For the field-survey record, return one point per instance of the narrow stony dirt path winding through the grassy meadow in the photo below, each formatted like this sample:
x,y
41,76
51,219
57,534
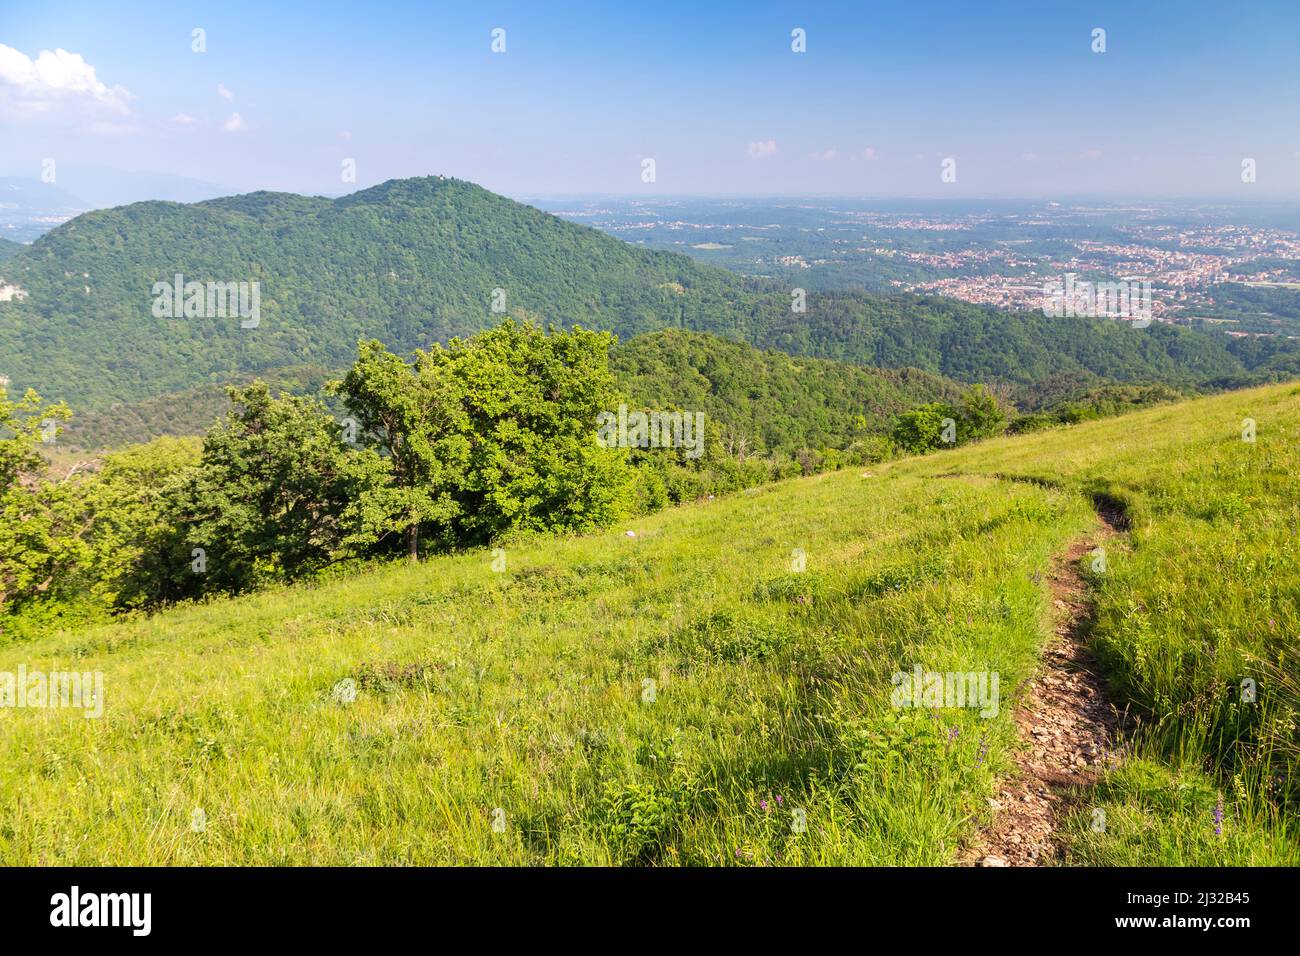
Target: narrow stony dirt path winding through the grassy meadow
x,y
1065,717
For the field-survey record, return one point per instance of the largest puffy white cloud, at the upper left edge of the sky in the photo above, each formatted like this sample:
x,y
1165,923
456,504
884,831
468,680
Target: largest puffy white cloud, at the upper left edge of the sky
x,y
53,84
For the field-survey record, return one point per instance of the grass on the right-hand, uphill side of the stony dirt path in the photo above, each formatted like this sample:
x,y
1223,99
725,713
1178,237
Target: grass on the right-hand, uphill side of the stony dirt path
x,y
1197,613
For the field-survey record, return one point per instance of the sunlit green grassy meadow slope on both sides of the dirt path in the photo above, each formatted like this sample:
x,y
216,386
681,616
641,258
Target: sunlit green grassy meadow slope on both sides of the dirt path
x,y
687,695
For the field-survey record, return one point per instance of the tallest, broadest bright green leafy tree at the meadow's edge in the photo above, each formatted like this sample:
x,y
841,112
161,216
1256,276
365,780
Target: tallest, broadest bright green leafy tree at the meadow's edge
x,y
491,435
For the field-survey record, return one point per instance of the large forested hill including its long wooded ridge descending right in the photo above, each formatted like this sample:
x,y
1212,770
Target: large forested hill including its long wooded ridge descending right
x,y
413,262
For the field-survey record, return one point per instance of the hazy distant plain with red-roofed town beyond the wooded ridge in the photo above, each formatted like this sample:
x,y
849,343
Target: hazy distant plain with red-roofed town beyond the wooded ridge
x,y
1236,267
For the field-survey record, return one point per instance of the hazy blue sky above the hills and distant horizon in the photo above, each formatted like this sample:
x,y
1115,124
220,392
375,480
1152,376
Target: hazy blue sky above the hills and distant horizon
x,y
712,92
